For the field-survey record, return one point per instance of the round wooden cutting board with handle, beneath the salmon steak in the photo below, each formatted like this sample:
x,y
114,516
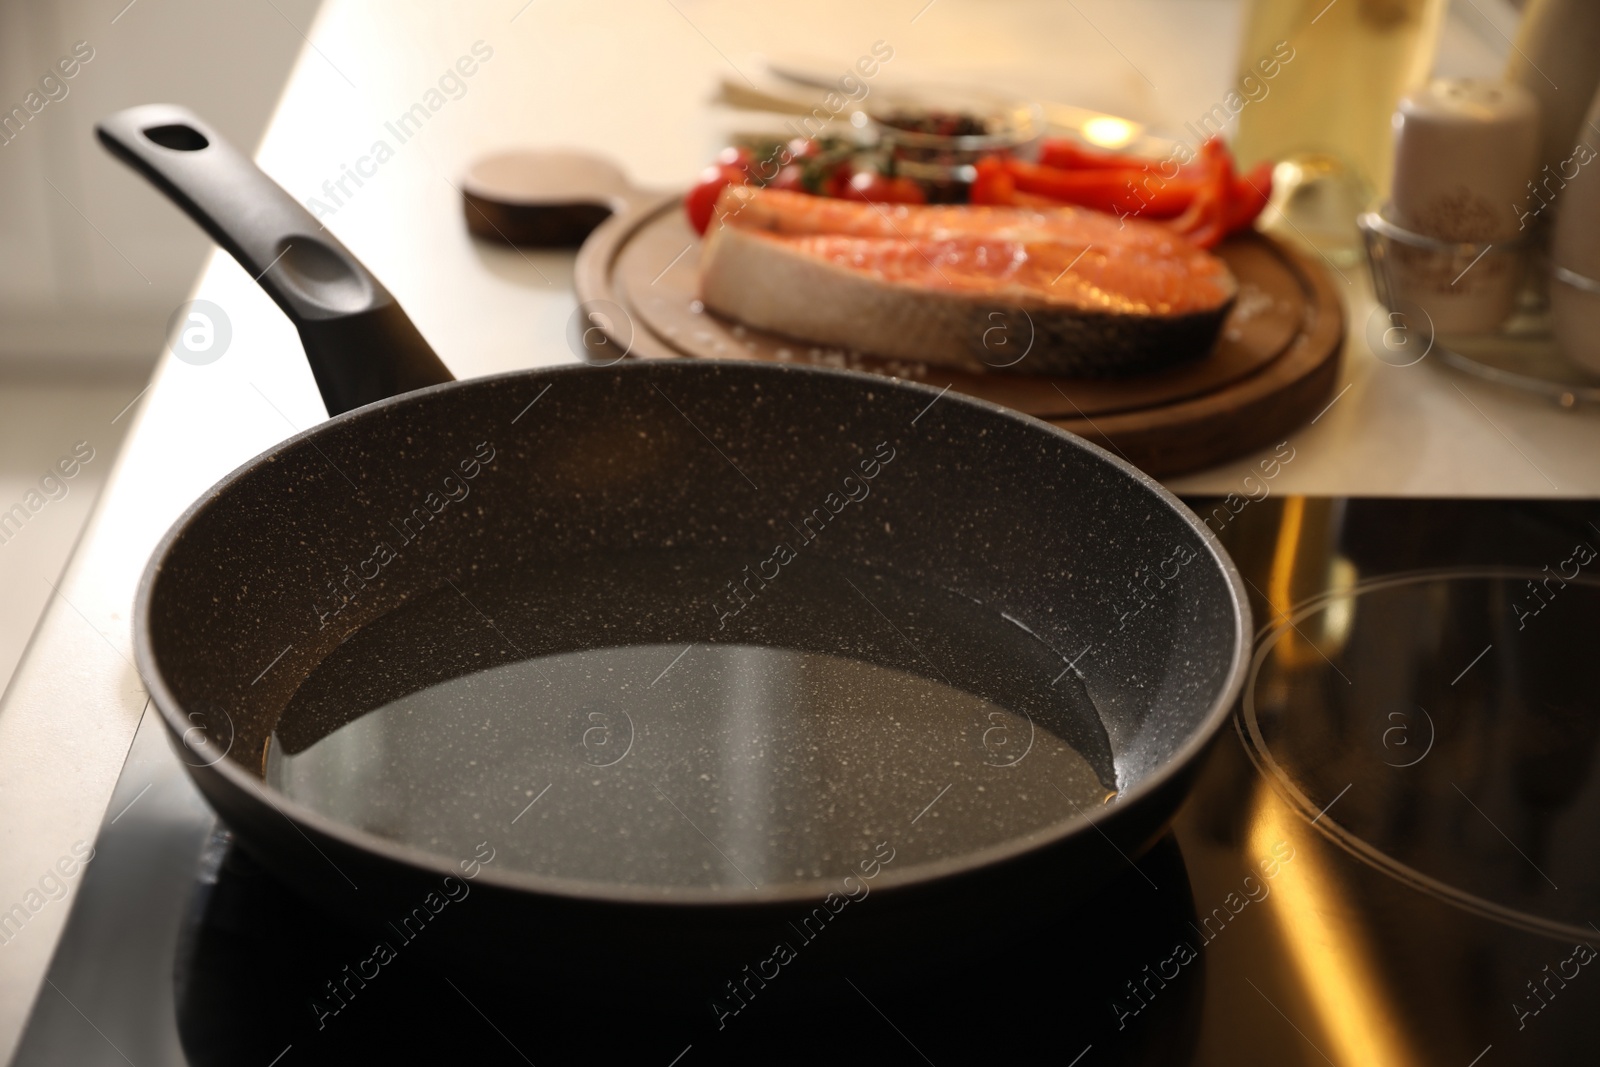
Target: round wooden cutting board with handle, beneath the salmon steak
x,y
1273,369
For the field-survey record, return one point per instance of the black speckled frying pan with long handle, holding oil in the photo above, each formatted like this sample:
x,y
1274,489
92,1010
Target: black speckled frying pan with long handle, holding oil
x,y
438,530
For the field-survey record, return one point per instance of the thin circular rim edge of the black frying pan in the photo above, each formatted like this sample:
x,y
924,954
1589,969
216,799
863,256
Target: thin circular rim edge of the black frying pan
x,y
690,898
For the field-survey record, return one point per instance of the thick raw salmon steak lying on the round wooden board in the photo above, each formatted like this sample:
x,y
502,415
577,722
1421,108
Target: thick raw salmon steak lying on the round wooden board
x,y
994,289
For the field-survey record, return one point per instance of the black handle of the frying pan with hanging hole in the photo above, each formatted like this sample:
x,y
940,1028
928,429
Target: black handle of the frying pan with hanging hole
x,y
361,345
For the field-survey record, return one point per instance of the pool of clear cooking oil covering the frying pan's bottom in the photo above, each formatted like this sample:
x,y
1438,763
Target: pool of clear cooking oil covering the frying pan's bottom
x,y
641,721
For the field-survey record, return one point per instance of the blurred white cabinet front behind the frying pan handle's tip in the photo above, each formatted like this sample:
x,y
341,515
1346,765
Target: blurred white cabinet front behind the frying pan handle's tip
x,y
92,262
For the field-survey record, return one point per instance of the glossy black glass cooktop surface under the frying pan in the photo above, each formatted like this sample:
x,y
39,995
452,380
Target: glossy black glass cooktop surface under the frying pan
x,y
1391,858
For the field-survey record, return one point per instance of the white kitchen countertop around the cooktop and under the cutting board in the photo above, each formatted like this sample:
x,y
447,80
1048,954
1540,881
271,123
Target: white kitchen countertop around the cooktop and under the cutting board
x,y
631,82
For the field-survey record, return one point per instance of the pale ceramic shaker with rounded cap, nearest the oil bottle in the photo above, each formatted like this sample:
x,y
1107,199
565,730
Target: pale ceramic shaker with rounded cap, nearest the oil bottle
x,y
1465,154
